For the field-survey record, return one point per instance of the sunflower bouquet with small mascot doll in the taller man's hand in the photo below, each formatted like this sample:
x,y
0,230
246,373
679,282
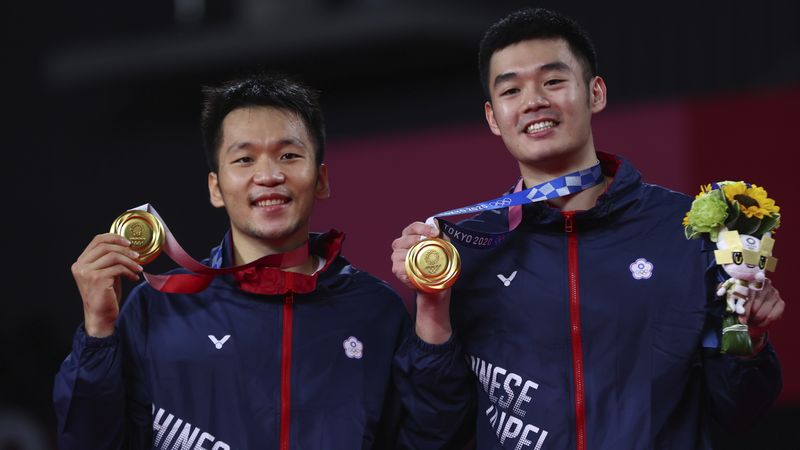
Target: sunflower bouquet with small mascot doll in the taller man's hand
x,y
740,218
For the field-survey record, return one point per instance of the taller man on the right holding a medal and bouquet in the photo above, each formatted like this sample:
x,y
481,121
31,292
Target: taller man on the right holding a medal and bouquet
x,y
587,319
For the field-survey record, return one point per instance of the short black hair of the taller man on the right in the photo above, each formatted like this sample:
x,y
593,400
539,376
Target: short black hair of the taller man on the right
x,y
538,23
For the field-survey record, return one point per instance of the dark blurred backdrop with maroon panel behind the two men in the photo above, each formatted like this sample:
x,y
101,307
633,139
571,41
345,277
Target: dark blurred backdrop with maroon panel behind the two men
x,y
102,114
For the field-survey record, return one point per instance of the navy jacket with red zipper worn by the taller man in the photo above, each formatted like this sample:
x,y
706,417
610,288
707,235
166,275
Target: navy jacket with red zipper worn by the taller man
x,y
573,350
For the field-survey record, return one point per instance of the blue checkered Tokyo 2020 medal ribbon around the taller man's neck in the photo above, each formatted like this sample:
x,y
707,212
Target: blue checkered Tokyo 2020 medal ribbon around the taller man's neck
x,y
568,184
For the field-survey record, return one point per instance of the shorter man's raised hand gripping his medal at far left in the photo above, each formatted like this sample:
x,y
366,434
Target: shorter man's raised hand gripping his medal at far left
x,y
97,273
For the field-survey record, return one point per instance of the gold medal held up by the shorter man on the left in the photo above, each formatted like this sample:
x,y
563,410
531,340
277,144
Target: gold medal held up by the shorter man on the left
x,y
143,230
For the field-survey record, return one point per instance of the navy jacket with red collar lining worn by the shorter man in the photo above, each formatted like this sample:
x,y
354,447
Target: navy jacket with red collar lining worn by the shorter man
x,y
224,369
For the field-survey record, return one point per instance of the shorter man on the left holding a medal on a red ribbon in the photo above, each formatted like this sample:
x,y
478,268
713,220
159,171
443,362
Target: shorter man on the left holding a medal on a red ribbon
x,y
276,341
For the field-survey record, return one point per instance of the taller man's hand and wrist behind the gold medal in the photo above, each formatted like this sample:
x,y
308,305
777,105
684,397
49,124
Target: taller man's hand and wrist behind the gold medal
x,y
433,310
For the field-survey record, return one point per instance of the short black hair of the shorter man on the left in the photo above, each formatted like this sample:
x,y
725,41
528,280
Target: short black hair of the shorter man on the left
x,y
262,89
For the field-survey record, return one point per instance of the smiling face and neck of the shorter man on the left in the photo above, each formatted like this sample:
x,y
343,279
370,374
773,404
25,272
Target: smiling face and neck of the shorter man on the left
x,y
267,179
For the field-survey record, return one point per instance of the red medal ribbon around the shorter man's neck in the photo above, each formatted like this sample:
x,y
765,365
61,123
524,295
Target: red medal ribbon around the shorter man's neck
x,y
202,275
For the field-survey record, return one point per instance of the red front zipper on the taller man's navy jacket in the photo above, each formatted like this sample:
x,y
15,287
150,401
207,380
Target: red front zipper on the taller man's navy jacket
x,y
575,331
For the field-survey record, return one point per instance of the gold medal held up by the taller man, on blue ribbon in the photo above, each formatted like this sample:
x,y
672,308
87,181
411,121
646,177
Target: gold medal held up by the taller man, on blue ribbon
x,y
433,265
